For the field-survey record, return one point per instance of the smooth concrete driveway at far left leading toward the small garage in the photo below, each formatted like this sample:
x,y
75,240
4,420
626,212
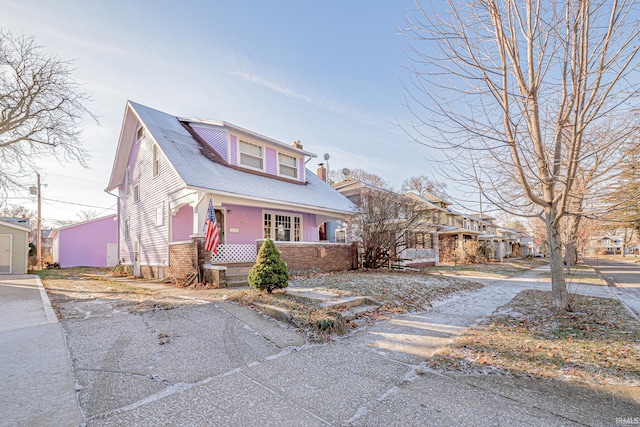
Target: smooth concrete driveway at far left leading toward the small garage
x,y
38,386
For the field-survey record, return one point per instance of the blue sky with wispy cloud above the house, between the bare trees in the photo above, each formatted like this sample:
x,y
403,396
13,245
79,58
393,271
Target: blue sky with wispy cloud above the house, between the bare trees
x,y
327,73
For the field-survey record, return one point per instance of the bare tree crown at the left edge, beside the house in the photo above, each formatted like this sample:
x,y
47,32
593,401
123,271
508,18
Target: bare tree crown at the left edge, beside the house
x,y
41,107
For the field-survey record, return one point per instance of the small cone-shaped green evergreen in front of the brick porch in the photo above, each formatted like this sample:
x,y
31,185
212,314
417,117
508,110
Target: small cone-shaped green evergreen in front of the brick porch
x,y
270,271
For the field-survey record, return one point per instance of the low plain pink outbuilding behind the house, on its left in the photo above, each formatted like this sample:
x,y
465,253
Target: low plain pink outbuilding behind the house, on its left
x,y
91,243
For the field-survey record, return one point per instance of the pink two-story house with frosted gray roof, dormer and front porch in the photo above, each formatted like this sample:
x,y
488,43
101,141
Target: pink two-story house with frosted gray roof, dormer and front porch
x,y
166,171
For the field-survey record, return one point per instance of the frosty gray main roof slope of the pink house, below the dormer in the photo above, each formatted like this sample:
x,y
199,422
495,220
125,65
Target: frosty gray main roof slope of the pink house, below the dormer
x,y
196,170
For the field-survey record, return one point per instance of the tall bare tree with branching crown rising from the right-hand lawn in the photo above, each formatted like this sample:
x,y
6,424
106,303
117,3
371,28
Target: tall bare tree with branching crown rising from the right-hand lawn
x,y
509,88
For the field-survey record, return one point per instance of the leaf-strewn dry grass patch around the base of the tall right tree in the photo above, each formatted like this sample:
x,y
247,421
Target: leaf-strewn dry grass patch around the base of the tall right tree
x,y
597,342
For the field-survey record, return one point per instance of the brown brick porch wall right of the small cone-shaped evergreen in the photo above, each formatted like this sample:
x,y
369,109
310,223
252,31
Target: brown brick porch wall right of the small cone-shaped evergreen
x,y
304,258
